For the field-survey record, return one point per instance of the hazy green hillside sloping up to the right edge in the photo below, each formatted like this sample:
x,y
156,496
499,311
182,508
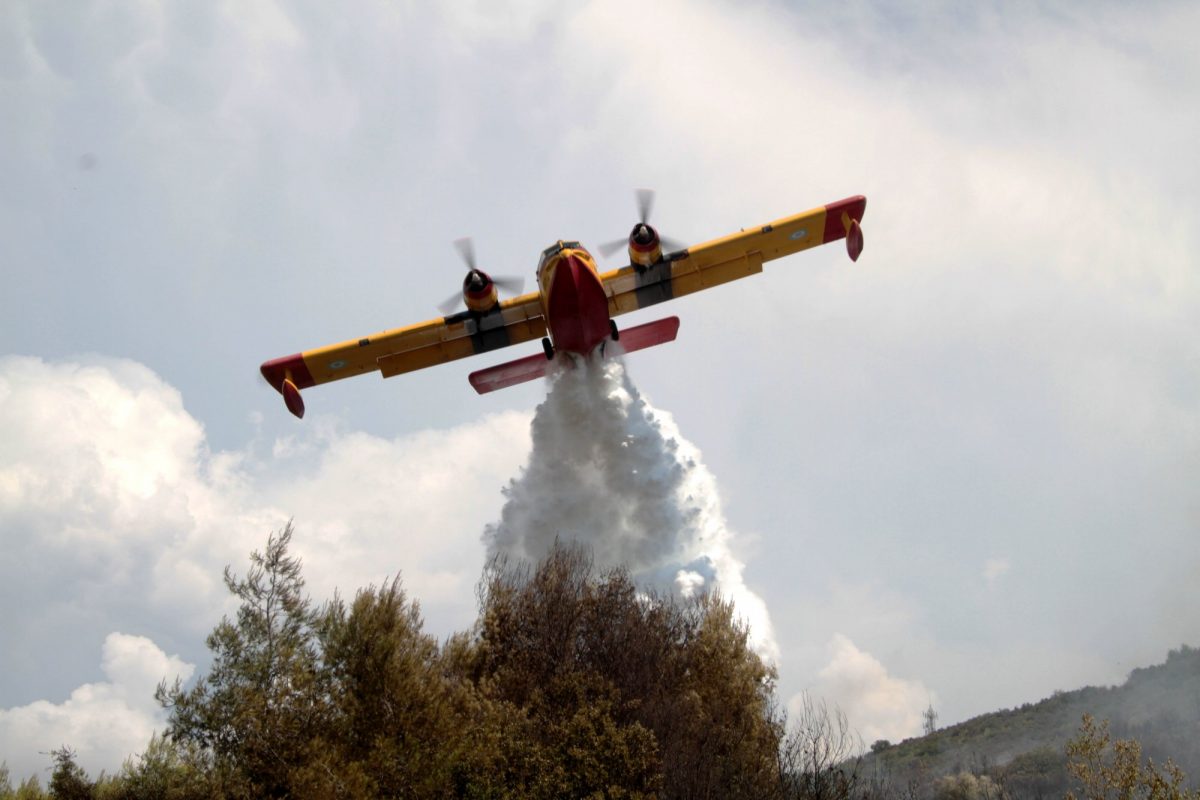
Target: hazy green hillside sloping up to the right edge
x,y
1157,706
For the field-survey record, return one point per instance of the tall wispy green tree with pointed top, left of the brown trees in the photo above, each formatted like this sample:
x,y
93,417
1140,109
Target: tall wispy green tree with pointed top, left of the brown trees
x,y
260,711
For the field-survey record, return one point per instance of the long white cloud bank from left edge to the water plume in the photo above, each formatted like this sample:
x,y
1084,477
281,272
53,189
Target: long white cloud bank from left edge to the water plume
x,y
115,514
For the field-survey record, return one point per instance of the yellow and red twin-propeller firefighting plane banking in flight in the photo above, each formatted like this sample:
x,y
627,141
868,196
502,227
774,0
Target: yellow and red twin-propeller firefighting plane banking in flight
x,y
574,306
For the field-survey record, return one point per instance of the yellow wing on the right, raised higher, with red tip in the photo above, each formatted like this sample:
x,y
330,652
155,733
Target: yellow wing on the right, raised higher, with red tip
x,y
736,256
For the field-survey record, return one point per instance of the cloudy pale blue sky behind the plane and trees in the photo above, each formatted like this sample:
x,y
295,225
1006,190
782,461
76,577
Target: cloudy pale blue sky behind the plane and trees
x,y
961,473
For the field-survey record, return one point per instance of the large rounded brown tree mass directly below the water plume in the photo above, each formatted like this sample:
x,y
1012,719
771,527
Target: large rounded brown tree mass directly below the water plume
x,y
667,696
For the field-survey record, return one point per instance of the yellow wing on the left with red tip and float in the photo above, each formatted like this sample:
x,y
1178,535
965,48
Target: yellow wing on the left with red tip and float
x,y
405,350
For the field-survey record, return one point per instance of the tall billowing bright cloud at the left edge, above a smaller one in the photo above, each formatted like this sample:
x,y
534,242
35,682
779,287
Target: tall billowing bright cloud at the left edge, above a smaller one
x,y
112,509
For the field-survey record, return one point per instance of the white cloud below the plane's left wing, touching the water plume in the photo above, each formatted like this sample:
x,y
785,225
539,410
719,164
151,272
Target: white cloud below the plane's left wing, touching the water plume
x,y
418,506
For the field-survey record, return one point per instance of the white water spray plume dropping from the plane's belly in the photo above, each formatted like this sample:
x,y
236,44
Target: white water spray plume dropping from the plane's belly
x,y
613,473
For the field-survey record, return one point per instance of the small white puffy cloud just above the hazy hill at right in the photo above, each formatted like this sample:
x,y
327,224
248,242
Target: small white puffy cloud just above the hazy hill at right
x,y
878,706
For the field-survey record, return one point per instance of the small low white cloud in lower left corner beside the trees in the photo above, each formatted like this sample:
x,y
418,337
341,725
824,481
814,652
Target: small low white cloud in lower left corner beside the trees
x,y
104,723
